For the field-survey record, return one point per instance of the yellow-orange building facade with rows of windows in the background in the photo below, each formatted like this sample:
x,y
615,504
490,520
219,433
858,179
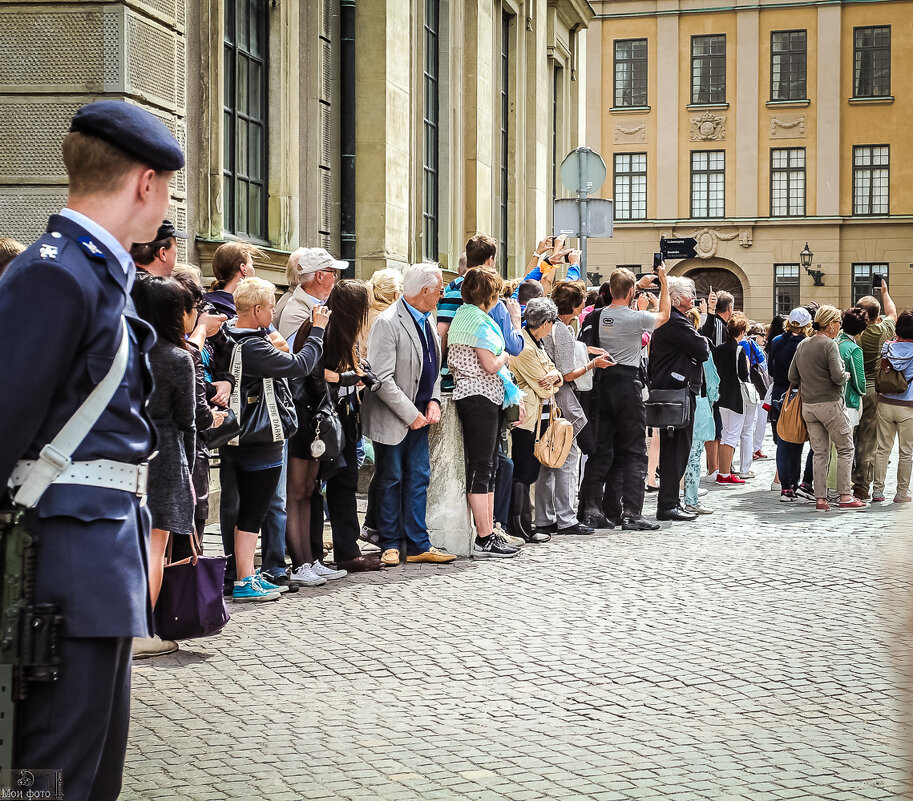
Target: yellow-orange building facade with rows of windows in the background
x,y
756,130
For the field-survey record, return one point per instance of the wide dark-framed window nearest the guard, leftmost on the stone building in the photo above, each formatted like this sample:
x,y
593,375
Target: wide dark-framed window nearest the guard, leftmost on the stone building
x,y
245,114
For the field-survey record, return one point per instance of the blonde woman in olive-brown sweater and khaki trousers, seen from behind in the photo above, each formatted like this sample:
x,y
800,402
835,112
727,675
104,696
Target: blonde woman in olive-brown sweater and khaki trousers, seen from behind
x,y
817,368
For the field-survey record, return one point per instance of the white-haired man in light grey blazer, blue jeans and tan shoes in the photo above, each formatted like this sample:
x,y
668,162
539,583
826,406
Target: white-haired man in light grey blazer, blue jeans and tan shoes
x,y
406,358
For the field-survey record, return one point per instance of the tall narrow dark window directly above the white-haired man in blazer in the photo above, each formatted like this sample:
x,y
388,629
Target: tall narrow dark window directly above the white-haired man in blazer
x,y
430,124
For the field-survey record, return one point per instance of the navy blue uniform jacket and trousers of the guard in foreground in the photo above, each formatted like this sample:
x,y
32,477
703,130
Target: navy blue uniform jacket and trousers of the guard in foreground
x,y
92,542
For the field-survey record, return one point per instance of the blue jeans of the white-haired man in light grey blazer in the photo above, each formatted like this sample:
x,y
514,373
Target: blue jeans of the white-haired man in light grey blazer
x,y
402,473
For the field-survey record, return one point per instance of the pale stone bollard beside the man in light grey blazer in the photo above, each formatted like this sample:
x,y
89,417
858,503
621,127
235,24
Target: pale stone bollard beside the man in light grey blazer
x,y
447,516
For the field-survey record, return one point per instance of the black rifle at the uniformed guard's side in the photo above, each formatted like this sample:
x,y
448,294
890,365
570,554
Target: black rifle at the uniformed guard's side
x,y
28,631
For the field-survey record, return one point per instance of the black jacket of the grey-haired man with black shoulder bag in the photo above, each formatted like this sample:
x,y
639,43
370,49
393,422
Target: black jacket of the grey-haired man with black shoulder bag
x,y
677,353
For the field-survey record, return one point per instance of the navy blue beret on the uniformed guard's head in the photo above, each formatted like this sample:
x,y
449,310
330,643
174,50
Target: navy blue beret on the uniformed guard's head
x,y
132,129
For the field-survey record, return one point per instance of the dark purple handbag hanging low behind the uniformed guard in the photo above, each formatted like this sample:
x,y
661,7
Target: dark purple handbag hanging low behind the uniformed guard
x,y
190,603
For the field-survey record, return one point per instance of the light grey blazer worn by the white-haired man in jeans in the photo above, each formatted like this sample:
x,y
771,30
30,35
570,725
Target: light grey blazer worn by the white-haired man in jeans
x,y
396,358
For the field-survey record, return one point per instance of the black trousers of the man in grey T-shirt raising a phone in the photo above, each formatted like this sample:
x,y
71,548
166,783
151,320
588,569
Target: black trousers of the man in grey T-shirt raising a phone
x,y
613,478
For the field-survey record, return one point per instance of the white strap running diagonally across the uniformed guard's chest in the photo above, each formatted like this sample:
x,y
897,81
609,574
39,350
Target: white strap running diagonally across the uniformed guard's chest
x,y
55,457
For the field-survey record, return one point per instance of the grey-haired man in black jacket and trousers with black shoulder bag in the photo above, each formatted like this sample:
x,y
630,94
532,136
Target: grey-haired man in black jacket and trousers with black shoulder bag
x,y
677,355
